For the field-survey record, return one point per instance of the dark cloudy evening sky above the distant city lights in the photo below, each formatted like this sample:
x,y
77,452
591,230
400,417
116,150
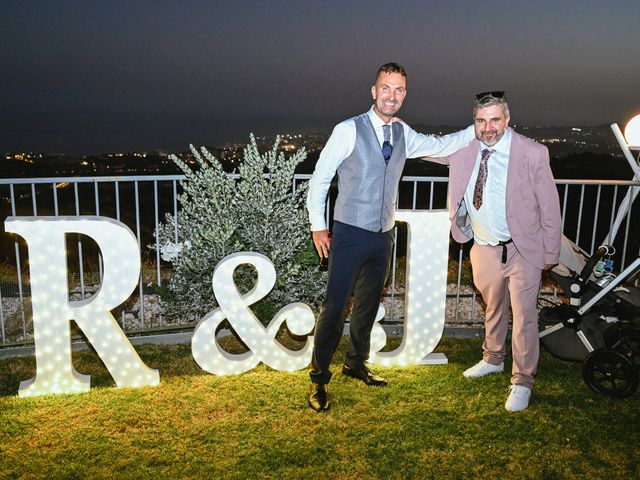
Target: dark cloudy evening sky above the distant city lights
x,y
93,76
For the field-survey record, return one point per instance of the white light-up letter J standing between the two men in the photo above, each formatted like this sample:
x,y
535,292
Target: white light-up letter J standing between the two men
x,y
425,289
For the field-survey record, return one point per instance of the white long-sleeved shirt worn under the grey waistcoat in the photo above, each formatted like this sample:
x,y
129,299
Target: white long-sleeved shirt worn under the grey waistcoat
x,y
342,142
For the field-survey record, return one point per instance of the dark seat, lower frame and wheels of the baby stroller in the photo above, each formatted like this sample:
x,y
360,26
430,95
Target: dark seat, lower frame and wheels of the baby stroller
x,y
600,326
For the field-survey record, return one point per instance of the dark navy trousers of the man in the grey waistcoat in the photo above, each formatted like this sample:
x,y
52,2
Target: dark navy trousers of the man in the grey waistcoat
x,y
358,263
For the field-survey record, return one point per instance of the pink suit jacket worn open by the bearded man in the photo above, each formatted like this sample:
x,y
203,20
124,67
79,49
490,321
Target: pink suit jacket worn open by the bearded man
x,y
533,207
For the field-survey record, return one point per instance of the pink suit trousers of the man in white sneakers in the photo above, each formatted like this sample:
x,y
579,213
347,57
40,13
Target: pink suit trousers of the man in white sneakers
x,y
516,281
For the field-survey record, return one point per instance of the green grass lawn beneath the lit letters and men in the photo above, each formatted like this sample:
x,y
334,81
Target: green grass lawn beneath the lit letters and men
x,y
430,422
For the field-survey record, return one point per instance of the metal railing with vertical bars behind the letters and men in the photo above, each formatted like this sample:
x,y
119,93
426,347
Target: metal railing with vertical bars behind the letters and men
x,y
141,202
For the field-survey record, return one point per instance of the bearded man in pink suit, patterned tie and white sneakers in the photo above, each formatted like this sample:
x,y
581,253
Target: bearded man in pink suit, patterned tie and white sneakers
x,y
503,196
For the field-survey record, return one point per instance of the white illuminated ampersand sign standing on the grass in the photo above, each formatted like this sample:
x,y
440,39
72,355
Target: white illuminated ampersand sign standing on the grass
x,y
263,347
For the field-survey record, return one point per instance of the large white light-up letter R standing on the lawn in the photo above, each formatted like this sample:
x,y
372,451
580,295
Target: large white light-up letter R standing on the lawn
x,y
52,310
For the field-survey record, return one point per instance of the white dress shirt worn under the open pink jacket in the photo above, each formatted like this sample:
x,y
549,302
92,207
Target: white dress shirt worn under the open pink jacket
x,y
489,223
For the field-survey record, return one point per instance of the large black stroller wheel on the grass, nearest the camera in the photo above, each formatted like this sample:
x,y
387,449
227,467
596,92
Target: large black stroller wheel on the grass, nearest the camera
x,y
610,373
